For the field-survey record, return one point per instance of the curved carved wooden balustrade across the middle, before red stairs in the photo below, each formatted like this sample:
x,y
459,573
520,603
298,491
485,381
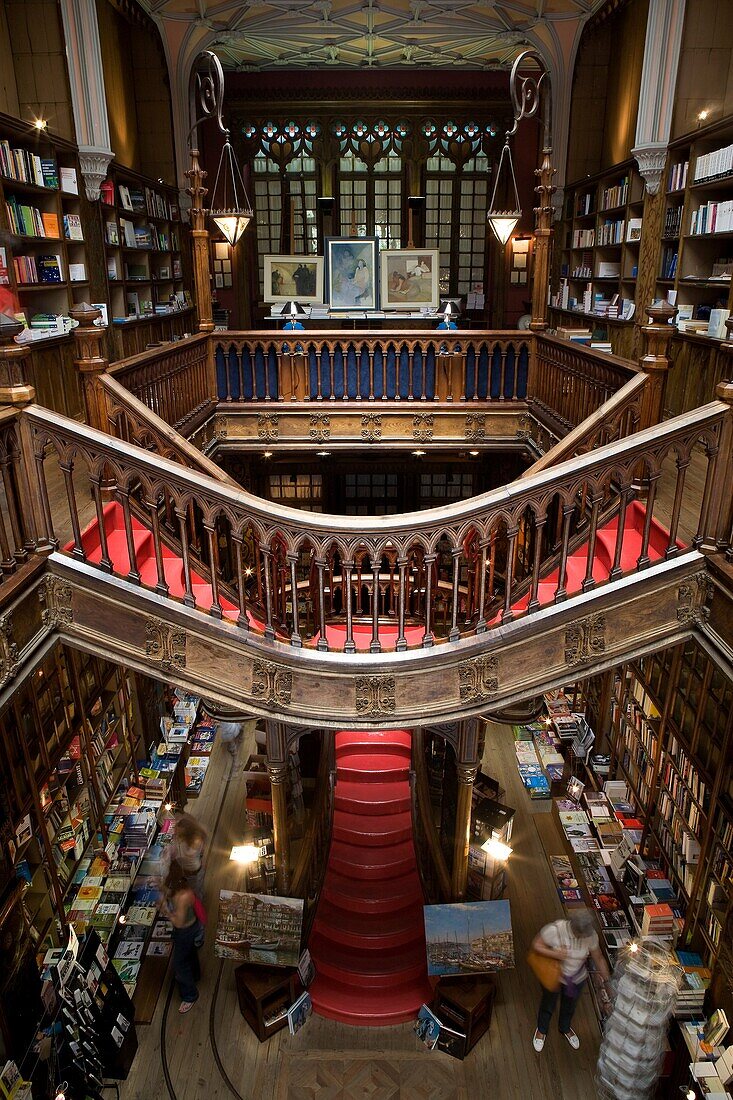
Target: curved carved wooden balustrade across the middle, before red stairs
x,y
385,584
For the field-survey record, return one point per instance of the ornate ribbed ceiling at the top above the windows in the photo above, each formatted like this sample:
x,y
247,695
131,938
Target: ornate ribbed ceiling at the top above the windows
x,y
270,35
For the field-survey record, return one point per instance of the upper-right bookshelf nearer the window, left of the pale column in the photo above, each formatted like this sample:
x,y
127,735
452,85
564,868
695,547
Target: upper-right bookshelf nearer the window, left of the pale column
x,y
600,238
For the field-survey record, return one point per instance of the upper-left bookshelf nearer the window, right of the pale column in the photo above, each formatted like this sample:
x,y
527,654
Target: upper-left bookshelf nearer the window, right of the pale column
x,y
143,233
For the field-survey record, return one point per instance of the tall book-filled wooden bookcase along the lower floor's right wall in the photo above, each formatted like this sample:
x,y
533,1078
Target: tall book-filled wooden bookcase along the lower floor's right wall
x,y
672,738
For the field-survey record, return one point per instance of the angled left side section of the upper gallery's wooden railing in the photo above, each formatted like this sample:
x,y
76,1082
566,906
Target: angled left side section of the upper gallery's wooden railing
x,y
174,381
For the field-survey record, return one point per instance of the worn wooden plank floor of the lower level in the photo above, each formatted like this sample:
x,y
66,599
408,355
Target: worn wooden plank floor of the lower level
x,y
212,1052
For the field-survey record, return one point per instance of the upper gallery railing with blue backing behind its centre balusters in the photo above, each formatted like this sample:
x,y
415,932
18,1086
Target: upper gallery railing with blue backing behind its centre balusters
x,y
180,382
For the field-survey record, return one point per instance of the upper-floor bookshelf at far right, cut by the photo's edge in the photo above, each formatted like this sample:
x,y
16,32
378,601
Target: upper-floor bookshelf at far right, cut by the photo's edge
x,y
697,244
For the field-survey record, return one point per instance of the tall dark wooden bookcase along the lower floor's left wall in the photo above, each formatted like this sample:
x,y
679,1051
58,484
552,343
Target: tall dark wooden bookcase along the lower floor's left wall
x,y
70,738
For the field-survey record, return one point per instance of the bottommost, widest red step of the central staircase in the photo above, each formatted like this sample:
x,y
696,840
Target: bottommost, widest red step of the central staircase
x,y
368,1007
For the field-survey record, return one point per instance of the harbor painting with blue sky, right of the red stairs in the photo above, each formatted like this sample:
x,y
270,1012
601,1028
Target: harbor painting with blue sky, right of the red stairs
x,y
469,938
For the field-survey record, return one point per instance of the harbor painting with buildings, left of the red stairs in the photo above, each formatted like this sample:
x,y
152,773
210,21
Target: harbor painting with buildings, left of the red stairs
x,y
259,929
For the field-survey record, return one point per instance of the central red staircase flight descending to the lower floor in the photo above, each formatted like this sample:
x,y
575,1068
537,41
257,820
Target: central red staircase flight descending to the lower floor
x,y
368,941
